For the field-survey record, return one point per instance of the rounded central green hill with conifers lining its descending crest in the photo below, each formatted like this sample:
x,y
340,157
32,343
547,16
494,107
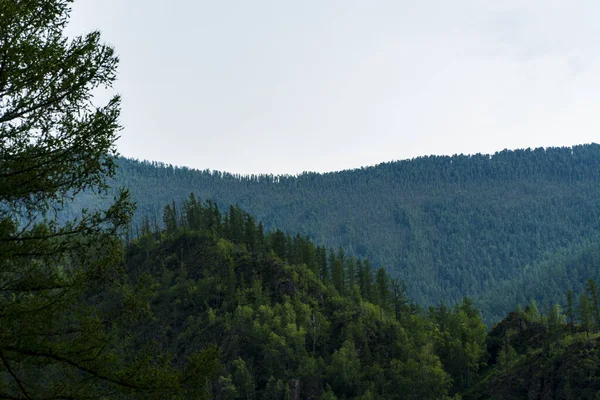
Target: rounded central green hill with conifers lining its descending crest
x,y
283,332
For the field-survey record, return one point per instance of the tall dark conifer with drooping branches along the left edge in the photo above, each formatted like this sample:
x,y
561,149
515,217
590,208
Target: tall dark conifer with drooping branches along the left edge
x,y
65,309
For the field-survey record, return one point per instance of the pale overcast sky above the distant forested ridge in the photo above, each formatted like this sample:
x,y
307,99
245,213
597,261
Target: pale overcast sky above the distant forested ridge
x,y
276,86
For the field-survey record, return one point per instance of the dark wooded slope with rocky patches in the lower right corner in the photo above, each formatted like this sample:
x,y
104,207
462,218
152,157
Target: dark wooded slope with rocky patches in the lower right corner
x,y
542,356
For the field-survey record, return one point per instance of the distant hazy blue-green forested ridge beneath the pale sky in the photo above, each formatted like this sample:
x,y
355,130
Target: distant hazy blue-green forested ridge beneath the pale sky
x,y
450,226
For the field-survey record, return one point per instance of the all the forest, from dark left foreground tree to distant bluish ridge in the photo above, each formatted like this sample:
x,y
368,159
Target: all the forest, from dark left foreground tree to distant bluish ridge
x,y
201,299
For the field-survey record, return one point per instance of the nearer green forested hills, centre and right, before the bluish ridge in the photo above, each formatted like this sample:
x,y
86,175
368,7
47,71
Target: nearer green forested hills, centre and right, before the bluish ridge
x,y
295,320
